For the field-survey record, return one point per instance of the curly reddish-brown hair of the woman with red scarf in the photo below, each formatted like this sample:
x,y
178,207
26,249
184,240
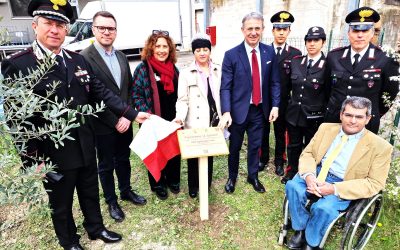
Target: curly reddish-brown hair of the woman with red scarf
x,y
148,49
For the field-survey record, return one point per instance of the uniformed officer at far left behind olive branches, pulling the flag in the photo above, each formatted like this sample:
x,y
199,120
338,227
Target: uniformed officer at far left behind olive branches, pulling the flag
x,y
75,161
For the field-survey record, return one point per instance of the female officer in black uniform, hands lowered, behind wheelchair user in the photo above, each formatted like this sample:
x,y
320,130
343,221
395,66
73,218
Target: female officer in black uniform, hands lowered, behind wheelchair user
x,y
307,104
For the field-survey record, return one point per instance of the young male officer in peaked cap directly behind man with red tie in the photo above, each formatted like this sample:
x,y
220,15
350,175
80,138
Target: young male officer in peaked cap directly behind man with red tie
x,y
281,22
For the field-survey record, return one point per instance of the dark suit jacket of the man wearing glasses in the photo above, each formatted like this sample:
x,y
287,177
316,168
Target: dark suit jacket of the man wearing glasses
x,y
106,121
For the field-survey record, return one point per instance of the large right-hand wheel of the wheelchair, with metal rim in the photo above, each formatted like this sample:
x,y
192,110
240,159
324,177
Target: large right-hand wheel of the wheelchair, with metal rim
x,y
360,230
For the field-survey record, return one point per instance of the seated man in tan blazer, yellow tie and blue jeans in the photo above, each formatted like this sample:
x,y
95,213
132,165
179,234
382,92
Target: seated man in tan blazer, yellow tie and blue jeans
x,y
343,162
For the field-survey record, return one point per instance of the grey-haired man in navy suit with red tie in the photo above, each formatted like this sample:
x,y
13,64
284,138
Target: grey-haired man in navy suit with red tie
x,y
249,85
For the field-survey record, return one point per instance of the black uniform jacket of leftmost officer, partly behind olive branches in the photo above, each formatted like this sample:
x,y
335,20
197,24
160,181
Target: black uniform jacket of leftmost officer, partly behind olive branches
x,y
82,87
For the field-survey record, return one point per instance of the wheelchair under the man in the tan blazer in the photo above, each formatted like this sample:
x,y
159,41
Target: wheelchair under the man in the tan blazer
x,y
358,222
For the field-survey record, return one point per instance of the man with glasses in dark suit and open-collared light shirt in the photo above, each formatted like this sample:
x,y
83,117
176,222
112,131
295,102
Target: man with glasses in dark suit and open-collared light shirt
x,y
111,67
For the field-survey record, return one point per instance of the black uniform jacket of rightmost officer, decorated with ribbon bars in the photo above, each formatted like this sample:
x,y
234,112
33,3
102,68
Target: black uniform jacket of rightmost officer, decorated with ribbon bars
x,y
370,79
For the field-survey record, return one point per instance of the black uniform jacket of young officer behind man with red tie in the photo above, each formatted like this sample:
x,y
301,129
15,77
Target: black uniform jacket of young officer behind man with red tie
x,y
284,61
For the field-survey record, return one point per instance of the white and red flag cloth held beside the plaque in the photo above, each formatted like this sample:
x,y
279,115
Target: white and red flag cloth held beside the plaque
x,y
156,143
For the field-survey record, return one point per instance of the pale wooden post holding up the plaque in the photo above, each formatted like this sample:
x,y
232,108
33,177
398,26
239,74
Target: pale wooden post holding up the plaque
x,y
203,187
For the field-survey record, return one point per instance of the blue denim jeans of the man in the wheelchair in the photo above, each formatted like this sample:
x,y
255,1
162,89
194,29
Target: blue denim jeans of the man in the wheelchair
x,y
322,212
